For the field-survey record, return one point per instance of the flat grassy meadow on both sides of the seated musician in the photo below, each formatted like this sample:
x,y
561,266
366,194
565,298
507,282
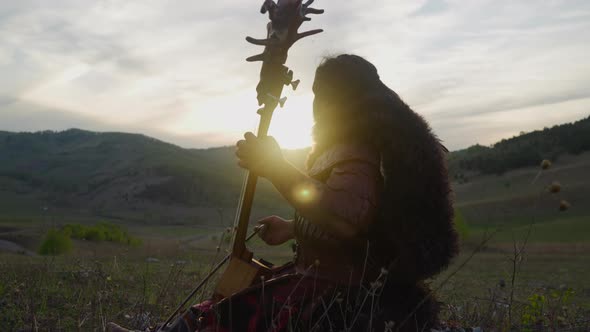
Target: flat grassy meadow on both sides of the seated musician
x,y
101,282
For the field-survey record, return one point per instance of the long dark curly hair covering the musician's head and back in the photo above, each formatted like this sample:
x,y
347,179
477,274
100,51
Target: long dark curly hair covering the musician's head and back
x,y
413,235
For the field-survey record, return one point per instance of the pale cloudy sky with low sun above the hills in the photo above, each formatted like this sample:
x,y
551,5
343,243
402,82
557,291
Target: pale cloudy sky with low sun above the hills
x,y
478,70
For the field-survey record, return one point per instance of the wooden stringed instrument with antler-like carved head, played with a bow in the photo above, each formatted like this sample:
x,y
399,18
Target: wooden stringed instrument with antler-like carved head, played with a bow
x,y
286,17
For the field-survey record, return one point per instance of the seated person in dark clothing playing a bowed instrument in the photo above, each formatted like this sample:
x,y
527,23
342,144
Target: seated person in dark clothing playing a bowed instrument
x,y
373,217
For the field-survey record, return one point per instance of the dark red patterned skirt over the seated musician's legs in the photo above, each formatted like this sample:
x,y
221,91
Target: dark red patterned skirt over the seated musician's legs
x,y
289,301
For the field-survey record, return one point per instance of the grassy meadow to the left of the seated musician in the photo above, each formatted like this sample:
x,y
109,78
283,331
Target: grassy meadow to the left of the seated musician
x,y
101,282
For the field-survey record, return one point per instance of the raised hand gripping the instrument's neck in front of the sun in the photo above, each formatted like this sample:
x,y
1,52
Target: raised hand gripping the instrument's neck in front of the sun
x,y
259,155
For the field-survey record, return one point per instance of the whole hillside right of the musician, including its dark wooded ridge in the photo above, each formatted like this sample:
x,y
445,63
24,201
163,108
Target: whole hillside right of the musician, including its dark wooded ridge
x,y
504,185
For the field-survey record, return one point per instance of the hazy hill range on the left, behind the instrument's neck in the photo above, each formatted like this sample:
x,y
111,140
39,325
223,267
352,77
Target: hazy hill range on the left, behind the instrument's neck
x,y
121,176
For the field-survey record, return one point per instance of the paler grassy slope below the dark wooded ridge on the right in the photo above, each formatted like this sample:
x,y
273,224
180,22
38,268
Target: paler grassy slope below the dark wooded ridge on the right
x,y
522,196
